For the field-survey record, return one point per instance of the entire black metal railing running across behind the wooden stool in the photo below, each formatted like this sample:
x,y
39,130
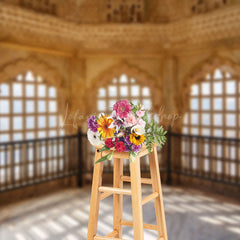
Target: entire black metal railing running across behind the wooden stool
x,y
28,162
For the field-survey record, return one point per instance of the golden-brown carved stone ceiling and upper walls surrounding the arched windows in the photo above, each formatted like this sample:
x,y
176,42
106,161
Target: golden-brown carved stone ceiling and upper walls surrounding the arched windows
x,y
76,49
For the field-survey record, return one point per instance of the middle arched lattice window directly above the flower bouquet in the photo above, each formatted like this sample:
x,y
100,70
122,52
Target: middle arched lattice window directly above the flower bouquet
x,y
123,87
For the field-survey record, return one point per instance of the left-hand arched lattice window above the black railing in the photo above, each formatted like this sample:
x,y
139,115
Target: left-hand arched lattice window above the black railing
x,y
28,109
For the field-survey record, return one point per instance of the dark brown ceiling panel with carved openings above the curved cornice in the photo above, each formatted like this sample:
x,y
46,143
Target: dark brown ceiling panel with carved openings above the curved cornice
x,y
122,11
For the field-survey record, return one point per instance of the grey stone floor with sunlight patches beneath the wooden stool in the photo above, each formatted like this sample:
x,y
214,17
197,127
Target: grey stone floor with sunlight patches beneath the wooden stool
x,y
190,215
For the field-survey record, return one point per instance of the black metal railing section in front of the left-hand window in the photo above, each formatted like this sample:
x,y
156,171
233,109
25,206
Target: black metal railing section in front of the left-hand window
x,y
28,162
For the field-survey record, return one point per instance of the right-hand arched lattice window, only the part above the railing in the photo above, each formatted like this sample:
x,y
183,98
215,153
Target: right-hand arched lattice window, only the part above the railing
x,y
214,106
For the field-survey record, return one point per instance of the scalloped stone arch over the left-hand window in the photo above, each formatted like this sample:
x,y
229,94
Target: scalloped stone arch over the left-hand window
x,y
9,71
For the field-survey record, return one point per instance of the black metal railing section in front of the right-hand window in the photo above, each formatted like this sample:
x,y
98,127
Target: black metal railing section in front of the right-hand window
x,y
204,157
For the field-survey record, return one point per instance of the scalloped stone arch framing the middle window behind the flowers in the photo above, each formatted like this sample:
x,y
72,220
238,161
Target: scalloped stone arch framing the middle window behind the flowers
x,y
141,76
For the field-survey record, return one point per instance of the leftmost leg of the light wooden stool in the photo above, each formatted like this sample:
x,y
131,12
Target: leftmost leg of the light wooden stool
x,y
94,206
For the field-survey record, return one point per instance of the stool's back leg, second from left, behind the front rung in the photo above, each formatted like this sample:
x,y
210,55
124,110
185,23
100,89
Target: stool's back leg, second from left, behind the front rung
x,y
117,198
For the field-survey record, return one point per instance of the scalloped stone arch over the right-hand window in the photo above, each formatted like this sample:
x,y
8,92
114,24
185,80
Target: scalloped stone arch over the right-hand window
x,y
197,75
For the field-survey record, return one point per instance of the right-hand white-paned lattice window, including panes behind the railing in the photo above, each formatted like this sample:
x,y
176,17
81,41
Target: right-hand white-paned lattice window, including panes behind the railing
x,y
214,111
